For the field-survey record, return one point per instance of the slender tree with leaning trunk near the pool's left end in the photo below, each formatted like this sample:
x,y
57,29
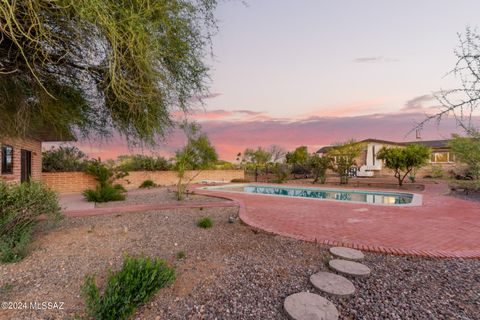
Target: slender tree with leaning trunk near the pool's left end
x,y
197,154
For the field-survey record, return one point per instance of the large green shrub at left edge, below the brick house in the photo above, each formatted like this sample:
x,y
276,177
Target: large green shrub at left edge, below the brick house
x,y
20,207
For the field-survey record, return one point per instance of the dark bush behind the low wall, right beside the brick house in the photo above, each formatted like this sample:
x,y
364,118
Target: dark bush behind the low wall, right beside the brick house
x,y
63,159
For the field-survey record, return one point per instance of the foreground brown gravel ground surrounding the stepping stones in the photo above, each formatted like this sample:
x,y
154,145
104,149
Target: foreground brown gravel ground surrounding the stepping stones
x,y
230,272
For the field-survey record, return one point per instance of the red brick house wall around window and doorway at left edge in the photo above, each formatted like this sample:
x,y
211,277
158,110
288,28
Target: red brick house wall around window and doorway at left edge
x,y
27,144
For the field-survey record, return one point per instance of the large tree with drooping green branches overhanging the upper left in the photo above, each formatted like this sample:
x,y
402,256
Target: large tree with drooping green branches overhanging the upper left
x,y
98,66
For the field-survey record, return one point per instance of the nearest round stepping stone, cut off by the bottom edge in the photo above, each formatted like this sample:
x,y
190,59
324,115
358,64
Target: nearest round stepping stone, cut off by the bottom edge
x,y
309,306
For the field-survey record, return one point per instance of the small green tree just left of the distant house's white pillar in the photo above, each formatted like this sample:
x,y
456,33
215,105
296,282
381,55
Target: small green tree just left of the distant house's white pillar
x,y
343,155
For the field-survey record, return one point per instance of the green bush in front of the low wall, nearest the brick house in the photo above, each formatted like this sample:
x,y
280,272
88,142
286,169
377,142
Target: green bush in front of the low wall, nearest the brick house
x,y
106,190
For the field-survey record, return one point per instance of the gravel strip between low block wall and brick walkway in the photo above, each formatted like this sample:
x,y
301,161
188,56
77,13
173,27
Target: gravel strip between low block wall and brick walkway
x,y
152,196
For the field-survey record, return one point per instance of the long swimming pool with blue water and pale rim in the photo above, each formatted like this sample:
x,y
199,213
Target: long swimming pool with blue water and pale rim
x,y
357,196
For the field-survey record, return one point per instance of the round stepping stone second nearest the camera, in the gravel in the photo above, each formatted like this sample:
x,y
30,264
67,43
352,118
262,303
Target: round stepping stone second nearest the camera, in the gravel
x,y
332,284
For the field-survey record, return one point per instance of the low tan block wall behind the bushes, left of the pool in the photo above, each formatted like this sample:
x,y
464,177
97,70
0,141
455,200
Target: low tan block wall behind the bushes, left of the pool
x,y
72,182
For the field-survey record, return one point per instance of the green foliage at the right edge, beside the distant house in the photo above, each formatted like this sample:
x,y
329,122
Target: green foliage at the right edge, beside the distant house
x,y
467,150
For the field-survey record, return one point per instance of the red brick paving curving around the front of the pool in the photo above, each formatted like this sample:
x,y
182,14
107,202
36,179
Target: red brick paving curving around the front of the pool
x,y
442,226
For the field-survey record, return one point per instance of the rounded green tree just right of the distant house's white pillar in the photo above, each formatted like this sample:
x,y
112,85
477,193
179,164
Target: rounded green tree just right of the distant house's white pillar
x,y
404,160
